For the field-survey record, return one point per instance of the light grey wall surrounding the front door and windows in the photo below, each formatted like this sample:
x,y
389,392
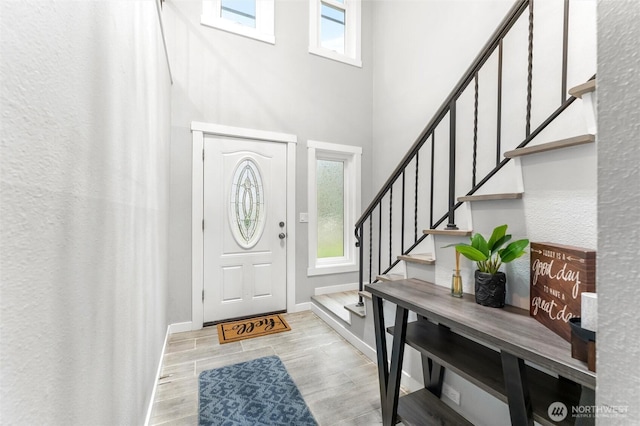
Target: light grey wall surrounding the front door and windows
x,y
227,79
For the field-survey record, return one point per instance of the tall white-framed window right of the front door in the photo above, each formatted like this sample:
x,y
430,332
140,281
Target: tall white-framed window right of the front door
x,y
334,202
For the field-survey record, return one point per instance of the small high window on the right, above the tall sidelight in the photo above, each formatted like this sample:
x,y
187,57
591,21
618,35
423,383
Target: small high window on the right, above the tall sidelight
x,y
334,30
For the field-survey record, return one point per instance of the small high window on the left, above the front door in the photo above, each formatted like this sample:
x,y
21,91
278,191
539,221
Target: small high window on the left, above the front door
x,y
249,18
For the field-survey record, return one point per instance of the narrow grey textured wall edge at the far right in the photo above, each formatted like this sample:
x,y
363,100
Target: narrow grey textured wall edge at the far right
x,y
618,349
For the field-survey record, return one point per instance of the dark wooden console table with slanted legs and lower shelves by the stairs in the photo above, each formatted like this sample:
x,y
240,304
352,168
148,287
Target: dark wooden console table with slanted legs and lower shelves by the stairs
x,y
486,346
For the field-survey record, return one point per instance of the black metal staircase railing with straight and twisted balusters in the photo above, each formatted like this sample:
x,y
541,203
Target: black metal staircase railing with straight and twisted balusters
x,y
382,205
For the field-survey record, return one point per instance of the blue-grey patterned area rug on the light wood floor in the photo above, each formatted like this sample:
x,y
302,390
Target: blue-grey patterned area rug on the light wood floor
x,y
257,392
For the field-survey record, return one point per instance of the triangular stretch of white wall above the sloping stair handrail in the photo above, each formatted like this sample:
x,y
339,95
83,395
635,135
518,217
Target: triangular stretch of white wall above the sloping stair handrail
x,y
421,49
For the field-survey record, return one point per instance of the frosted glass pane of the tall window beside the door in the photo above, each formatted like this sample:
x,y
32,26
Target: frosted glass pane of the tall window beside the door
x,y
330,190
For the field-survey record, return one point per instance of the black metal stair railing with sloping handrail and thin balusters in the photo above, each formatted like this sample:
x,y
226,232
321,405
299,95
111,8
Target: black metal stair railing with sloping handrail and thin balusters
x,y
448,107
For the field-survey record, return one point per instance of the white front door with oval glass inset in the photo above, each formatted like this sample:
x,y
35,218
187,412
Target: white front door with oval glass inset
x,y
245,205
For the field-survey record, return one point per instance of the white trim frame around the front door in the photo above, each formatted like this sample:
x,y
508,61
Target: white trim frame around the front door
x,y
199,130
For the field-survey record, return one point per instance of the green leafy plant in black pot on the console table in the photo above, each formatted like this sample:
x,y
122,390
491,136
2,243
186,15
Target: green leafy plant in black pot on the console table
x,y
490,282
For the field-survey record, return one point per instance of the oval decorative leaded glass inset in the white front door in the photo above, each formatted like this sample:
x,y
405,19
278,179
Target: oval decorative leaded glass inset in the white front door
x,y
247,215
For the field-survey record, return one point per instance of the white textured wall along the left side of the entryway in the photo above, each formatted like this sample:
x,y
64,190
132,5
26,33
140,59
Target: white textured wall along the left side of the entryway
x,y
84,210
